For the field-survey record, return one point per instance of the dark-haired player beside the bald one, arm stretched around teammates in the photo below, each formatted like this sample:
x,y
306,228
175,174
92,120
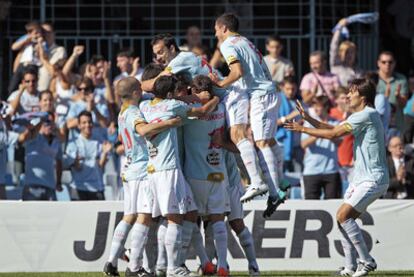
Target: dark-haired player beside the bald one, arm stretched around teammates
x,y
172,195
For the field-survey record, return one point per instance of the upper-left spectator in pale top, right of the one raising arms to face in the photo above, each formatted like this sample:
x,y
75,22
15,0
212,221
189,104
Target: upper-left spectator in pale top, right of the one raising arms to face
x,y
54,54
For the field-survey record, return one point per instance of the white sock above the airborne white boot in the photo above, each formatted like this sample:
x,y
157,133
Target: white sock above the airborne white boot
x,y
250,160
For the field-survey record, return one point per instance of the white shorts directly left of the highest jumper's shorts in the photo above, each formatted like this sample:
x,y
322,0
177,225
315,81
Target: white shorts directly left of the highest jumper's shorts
x,y
237,108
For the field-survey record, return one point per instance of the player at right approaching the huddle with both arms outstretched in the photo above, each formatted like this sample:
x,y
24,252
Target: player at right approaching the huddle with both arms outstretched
x,y
370,179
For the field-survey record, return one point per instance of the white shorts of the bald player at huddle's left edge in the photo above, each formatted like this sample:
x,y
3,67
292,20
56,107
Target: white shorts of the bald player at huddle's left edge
x,y
137,197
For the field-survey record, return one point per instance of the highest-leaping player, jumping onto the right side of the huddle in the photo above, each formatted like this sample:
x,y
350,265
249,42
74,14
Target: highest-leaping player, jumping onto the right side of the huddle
x,y
249,73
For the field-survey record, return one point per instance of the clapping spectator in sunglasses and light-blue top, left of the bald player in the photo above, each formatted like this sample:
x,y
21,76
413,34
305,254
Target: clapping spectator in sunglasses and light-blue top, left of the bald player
x,y
86,102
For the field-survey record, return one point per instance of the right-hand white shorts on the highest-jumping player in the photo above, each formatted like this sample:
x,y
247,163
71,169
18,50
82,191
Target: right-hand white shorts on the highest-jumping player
x,y
263,115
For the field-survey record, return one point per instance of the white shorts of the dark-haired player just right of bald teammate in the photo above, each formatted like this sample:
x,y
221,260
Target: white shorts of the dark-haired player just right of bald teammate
x,y
172,194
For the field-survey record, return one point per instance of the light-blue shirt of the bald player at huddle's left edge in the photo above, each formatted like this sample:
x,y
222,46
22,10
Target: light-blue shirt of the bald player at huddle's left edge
x,y
135,146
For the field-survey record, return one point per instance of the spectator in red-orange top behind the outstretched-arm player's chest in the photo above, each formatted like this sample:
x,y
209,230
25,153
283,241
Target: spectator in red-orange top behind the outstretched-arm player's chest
x,y
345,153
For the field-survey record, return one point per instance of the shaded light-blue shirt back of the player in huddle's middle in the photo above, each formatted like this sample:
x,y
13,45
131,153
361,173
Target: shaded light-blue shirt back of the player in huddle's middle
x,y
203,159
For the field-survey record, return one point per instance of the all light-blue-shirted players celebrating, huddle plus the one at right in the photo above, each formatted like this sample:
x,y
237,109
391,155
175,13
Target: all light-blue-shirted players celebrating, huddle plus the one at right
x,y
181,167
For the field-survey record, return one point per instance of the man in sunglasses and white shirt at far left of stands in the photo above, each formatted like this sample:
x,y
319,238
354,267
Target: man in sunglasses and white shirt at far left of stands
x,y
26,98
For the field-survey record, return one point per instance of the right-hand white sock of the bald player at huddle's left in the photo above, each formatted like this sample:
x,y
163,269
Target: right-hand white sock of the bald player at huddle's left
x,y
138,239
